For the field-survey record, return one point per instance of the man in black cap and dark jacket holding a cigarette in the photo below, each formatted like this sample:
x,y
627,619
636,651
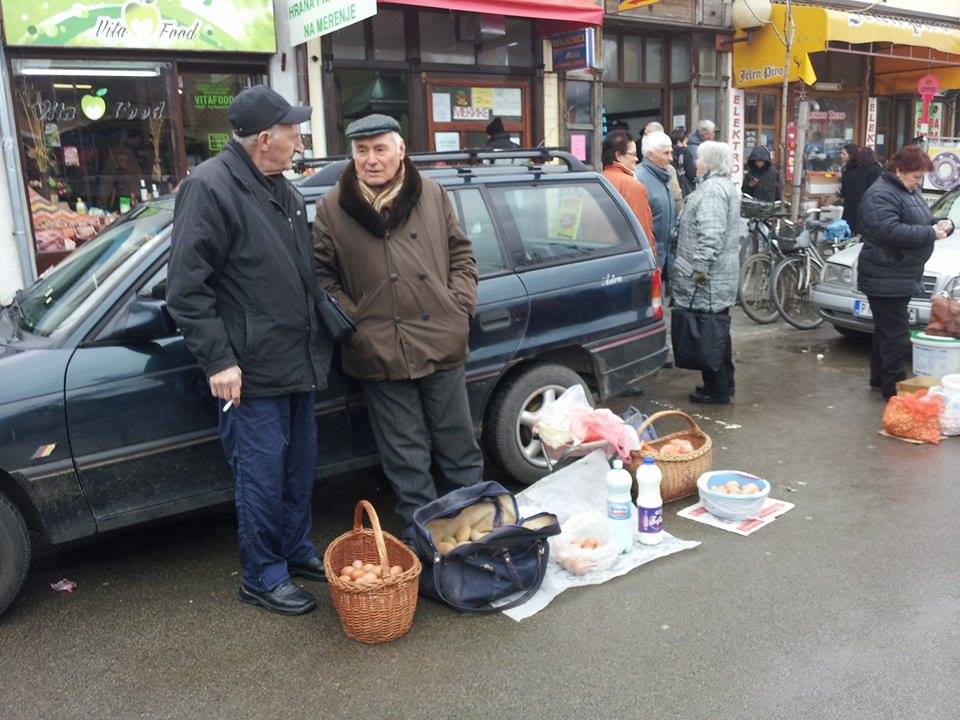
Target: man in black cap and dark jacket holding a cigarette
x,y
243,291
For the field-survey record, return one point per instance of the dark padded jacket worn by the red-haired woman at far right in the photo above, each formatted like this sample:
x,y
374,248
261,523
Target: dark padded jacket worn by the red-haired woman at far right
x,y
898,237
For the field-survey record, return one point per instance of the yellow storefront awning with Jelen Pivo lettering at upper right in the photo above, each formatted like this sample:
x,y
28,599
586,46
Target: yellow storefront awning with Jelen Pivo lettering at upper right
x,y
759,60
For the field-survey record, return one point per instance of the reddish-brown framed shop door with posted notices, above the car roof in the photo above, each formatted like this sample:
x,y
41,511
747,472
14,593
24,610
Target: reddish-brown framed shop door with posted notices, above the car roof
x,y
460,110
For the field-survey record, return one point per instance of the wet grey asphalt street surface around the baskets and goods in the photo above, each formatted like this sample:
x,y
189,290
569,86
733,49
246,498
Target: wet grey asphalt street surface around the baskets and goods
x,y
845,607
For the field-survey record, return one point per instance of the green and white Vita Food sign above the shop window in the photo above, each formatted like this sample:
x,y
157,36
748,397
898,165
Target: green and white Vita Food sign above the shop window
x,y
210,25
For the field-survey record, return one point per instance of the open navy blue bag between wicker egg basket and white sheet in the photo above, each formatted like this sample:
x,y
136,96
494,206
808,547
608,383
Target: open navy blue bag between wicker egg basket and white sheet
x,y
478,555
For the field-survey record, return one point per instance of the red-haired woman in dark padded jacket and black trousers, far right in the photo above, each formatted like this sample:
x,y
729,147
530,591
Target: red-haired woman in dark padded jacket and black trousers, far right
x,y
898,235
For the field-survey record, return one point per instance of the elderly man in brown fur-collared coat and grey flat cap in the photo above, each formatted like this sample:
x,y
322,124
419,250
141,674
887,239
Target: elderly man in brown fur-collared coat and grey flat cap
x,y
390,250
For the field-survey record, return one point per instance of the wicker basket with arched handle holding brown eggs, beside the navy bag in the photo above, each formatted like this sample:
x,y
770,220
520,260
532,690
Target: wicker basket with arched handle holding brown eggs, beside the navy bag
x,y
381,612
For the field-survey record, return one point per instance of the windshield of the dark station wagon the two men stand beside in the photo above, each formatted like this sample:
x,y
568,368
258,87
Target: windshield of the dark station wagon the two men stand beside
x,y
91,271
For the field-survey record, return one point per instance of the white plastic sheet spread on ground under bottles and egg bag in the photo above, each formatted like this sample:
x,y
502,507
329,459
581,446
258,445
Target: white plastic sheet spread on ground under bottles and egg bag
x,y
577,488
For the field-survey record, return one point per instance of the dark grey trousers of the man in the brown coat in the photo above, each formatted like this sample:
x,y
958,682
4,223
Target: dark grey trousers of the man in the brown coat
x,y
413,420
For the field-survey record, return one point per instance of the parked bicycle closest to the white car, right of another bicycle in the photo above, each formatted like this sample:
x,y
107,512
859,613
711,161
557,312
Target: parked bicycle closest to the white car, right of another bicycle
x,y
799,270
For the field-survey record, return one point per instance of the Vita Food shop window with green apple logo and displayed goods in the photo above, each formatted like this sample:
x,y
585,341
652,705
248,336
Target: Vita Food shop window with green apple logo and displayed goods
x,y
97,137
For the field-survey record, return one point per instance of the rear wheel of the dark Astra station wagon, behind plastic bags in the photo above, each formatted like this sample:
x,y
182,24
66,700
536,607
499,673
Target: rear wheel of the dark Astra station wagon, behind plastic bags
x,y
513,412
